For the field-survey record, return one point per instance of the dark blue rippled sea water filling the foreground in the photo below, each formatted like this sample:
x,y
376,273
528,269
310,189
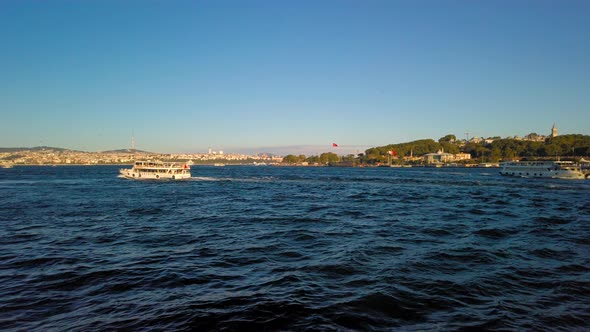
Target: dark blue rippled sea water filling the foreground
x,y
270,248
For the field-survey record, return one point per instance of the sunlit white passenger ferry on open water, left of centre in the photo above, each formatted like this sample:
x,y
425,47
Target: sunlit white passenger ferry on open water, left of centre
x,y
156,170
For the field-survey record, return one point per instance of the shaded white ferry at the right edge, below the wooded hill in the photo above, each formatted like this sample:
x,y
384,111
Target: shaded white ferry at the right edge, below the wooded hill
x,y
543,169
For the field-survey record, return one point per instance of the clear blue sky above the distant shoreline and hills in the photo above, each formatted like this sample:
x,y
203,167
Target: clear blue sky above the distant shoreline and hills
x,y
260,75
